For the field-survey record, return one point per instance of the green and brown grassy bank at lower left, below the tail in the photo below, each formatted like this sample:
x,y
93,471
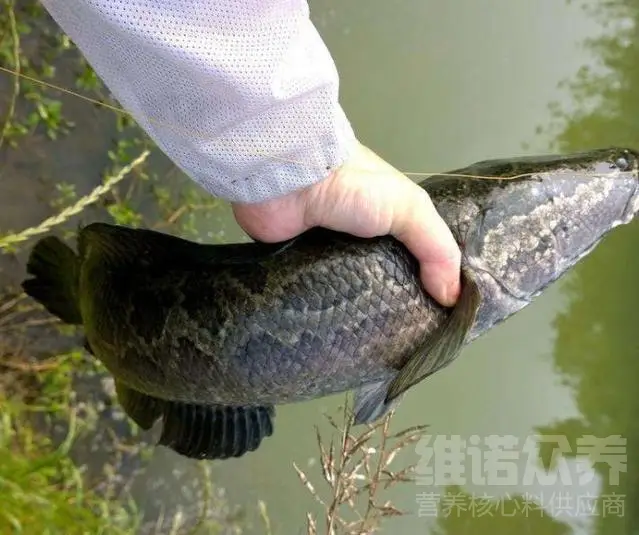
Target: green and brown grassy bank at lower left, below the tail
x,y
42,490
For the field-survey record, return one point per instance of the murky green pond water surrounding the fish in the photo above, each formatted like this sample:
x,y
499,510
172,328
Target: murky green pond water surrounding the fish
x,y
430,86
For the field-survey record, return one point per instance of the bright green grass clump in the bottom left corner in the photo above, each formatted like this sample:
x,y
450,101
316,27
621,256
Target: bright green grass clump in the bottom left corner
x,y
42,491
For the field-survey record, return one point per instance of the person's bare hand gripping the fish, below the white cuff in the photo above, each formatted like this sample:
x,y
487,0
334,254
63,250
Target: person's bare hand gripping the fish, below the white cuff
x,y
366,197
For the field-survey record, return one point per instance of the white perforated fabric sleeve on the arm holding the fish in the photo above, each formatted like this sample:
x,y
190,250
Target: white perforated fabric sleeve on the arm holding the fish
x,y
241,94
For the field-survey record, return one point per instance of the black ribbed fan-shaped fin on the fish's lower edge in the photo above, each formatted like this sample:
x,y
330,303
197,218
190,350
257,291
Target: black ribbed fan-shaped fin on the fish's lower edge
x,y
215,431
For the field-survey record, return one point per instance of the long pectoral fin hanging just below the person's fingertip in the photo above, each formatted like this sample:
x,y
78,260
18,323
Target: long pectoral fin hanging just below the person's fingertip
x,y
443,346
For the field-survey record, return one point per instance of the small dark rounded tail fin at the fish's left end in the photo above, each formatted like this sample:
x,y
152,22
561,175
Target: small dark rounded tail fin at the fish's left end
x,y
55,269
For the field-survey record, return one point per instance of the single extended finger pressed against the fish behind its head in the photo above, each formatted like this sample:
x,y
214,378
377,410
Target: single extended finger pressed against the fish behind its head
x,y
421,229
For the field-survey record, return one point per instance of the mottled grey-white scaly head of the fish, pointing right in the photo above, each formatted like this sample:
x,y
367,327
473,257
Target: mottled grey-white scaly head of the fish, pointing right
x,y
520,235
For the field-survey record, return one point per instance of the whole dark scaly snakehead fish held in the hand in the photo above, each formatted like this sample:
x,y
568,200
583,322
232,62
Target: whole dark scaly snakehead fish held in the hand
x,y
209,338
